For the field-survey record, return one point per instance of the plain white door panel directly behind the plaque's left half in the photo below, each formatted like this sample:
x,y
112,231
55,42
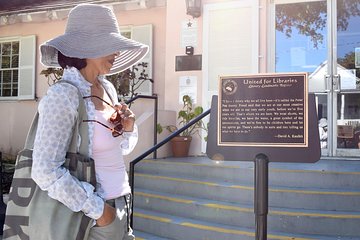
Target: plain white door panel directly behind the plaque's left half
x,y
229,47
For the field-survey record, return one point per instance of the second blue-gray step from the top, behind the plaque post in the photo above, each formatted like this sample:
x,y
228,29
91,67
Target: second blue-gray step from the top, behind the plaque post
x,y
287,197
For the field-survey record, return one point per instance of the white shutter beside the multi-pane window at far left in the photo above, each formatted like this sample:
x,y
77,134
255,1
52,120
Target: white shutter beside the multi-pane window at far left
x,y
27,67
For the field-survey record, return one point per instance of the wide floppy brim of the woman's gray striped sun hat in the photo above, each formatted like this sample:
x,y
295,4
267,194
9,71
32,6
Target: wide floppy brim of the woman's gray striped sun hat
x,y
73,45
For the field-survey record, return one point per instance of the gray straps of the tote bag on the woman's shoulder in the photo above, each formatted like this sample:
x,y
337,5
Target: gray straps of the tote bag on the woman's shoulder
x,y
79,128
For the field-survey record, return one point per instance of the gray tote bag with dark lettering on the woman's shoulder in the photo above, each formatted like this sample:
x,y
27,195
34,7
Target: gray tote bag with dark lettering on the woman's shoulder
x,y
31,213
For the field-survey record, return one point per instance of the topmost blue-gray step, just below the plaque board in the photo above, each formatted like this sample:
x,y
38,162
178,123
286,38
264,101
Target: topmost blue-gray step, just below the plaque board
x,y
323,174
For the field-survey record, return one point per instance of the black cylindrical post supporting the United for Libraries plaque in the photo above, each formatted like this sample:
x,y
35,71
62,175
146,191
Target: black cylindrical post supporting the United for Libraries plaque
x,y
261,192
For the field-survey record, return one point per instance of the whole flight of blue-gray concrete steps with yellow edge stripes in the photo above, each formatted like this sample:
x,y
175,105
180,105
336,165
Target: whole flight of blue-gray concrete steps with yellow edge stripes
x,y
197,198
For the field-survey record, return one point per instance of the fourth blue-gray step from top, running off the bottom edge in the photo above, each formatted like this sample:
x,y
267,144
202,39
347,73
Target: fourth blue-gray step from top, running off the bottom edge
x,y
178,228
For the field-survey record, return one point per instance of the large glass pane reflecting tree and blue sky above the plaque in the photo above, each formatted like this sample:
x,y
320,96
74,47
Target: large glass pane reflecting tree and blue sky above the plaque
x,y
299,34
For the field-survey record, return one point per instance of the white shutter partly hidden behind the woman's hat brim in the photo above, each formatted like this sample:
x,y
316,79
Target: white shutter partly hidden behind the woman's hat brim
x,y
143,34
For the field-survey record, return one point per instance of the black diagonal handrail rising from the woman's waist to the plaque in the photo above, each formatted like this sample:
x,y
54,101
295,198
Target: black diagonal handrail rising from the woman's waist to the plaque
x,y
154,148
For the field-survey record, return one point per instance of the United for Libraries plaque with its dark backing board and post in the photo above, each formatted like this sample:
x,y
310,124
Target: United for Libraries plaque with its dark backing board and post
x,y
269,116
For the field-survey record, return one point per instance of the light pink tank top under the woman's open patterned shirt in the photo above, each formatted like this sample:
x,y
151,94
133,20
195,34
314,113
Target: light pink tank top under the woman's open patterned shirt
x,y
111,175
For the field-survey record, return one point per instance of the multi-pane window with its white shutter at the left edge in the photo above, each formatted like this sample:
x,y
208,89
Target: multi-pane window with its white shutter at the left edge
x,y
17,68
